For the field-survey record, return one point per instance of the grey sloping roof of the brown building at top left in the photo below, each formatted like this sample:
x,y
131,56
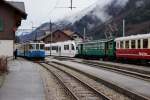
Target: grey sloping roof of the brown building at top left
x,y
18,6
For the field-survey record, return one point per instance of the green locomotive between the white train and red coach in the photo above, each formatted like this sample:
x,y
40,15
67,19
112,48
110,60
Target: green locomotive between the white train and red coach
x,y
97,49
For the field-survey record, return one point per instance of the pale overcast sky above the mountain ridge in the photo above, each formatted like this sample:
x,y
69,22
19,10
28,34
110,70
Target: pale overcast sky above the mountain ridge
x,y
40,11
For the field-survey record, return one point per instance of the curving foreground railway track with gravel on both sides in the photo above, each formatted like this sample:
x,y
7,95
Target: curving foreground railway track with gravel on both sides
x,y
78,89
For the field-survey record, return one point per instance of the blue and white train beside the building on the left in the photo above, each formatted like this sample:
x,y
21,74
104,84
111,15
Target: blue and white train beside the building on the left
x,y
31,50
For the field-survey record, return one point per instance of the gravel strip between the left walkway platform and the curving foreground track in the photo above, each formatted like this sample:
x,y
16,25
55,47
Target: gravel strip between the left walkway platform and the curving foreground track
x,y
53,89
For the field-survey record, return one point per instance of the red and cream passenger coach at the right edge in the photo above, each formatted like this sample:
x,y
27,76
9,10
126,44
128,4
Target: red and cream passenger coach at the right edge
x,y
136,47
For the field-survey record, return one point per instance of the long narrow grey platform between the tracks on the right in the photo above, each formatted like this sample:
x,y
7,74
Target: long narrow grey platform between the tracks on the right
x,y
133,84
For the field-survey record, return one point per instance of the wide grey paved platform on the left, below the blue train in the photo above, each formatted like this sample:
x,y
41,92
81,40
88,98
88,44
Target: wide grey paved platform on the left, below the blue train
x,y
23,82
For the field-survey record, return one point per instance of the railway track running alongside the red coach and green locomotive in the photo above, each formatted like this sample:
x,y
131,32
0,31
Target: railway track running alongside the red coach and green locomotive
x,y
134,72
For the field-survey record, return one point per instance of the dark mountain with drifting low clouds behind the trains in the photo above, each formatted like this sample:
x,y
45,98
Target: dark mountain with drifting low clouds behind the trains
x,y
107,18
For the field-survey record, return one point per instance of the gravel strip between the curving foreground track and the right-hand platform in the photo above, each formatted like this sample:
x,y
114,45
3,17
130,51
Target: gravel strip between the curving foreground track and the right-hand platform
x,y
100,87
